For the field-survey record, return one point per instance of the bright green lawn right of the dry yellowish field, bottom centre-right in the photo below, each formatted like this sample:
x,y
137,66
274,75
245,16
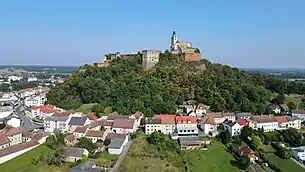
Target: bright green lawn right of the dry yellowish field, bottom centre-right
x,y
215,159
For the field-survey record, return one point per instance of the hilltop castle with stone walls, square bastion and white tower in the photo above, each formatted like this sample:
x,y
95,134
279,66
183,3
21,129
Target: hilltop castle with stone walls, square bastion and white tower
x,y
151,57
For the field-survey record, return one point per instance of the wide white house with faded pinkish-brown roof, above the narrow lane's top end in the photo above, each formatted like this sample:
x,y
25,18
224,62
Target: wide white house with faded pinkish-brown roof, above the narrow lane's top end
x,y
124,126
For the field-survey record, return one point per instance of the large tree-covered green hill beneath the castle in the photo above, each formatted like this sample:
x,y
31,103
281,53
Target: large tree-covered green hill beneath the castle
x,y
126,87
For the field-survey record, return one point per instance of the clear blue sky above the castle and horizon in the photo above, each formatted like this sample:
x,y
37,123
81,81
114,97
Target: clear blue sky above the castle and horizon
x,y
240,33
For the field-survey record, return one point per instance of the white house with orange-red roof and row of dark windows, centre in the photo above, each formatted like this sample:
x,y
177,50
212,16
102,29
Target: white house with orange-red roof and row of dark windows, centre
x,y
186,125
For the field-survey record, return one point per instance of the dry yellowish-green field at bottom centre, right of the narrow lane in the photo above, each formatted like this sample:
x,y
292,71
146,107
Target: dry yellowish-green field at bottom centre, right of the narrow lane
x,y
143,157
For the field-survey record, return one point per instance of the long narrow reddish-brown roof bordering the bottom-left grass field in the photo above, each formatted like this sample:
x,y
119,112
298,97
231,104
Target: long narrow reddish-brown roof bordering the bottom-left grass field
x,y
17,148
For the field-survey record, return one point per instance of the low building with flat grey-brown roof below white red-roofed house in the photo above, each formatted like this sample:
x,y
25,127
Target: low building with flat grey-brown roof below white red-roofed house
x,y
190,142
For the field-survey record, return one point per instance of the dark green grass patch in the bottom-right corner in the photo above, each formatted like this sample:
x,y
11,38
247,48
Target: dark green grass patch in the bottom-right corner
x,y
285,165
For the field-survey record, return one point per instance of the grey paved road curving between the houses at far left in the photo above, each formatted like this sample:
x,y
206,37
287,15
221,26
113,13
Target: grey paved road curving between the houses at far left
x,y
27,124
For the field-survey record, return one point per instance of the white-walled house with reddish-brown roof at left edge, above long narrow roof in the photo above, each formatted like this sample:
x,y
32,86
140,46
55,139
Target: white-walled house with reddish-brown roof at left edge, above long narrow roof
x,y
10,136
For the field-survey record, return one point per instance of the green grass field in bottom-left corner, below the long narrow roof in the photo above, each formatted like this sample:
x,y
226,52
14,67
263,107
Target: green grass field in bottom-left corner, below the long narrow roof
x,y
23,163
